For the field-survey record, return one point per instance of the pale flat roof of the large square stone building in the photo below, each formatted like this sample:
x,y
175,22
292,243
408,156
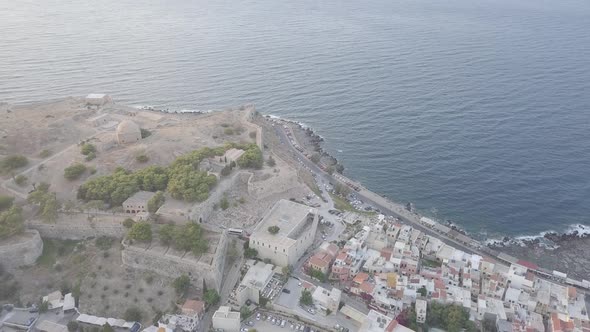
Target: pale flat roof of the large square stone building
x,y
287,216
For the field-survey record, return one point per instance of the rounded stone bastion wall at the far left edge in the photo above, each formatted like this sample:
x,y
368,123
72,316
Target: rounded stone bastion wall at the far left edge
x,y
22,250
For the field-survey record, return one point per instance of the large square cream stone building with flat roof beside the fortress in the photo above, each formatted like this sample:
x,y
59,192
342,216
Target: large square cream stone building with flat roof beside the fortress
x,y
297,228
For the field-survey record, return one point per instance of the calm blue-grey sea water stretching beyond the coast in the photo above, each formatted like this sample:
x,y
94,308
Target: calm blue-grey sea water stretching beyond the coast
x,y
476,111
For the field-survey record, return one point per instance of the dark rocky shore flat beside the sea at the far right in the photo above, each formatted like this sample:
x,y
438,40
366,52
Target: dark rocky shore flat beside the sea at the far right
x,y
572,256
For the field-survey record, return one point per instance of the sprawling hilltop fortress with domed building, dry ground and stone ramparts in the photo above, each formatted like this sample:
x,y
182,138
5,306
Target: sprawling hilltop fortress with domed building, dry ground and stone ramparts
x,y
52,137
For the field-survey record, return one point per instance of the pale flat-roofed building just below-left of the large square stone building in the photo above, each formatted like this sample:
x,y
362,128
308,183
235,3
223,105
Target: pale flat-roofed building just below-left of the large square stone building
x,y
254,282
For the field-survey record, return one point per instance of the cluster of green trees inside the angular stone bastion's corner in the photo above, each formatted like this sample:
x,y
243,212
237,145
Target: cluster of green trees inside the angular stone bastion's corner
x,y
186,237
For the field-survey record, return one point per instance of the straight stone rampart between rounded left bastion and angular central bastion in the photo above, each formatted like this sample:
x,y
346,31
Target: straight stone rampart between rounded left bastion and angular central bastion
x,y
77,226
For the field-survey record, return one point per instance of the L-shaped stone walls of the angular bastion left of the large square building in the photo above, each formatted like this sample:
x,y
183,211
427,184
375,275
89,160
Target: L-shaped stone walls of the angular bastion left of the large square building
x,y
169,262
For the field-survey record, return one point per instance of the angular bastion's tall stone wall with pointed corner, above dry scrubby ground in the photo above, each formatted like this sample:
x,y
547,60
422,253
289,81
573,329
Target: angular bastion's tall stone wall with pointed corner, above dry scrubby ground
x,y
174,265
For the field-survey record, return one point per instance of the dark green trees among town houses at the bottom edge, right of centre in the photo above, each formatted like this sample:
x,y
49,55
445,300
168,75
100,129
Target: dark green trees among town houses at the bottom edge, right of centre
x,y
449,317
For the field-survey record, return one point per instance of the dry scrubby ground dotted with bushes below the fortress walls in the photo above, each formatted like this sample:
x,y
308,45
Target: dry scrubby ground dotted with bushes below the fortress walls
x,y
107,287
